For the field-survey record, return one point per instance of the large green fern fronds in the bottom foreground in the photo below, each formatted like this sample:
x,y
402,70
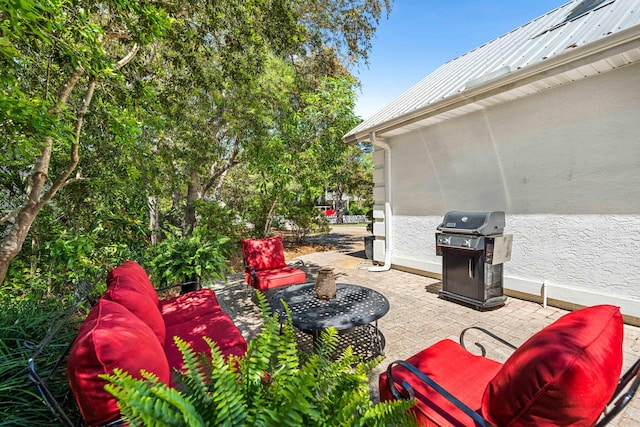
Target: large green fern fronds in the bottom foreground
x,y
272,385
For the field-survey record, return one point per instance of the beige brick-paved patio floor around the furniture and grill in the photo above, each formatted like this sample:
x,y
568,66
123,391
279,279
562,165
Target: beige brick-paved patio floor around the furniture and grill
x,y
417,317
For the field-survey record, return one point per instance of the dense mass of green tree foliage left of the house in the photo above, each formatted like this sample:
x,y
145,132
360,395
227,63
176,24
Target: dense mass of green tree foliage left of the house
x,y
208,88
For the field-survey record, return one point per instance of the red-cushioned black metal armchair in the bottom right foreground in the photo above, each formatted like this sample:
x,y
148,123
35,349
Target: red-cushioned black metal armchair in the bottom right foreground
x,y
568,374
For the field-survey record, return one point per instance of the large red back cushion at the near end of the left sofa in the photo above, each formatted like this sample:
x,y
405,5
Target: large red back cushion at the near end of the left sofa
x,y
111,337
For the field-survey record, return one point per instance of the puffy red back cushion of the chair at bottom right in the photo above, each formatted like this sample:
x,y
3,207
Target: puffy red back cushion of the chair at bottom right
x,y
562,376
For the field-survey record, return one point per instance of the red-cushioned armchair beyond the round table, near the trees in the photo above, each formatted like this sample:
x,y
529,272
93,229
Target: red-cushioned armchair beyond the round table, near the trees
x,y
265,266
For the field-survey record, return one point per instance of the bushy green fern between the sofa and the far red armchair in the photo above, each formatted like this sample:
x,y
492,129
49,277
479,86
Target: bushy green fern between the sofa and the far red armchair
x,y
179,259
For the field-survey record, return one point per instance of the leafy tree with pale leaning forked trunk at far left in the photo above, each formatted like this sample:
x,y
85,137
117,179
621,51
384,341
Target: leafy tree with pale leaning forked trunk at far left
x,y
54,54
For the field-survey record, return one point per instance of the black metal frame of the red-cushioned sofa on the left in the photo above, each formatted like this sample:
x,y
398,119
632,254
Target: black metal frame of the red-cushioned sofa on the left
x,y
37,367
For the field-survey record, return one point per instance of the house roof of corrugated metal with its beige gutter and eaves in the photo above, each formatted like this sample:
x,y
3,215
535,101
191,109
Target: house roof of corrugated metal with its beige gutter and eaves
x,y
546,52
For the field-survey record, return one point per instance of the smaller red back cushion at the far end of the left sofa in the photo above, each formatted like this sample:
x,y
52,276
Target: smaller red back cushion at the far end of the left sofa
x,y
129,286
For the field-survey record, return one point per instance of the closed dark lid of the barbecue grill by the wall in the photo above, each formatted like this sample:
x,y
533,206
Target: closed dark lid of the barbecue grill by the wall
x,y
478,223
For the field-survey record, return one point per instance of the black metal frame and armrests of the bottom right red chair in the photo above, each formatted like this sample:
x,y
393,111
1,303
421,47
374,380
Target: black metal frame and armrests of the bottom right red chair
x,y
627,385
